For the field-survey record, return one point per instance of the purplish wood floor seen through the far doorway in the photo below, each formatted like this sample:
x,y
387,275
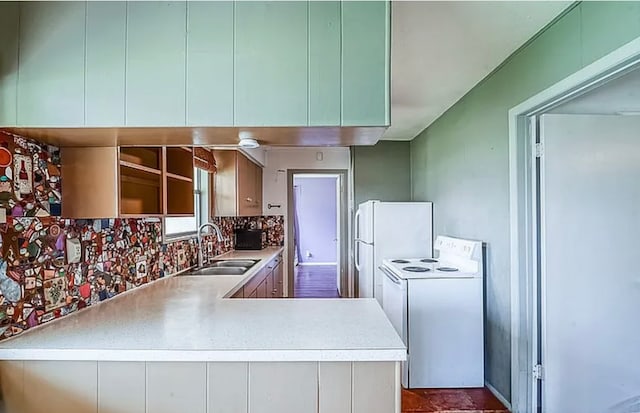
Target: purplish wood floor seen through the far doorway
x,y
315,281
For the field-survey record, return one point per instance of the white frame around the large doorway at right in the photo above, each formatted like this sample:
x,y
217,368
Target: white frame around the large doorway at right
x,y
523,200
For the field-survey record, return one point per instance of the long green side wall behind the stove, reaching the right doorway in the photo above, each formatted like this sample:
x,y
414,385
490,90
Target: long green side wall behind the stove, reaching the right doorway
x,y
461,161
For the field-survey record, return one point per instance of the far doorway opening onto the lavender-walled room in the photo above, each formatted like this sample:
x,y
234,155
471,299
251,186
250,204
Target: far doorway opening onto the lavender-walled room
x,y
317,234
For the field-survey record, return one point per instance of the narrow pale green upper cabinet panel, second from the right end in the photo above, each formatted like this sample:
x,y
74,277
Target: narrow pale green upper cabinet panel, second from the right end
x,y
324,63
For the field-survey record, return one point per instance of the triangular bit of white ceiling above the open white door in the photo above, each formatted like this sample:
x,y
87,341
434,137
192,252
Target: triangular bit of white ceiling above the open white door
x,y
618,96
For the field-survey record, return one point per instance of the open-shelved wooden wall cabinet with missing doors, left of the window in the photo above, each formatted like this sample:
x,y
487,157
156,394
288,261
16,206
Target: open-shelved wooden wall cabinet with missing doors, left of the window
x,y
127,182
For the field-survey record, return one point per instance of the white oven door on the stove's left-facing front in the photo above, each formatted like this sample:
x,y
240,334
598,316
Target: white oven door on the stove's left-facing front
x,y
395,307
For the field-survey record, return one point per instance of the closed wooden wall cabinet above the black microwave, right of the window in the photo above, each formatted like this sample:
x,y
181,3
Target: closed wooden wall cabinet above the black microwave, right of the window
x,y
238,185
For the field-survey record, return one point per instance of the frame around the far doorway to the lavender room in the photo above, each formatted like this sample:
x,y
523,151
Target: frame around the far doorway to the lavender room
x,y
343,216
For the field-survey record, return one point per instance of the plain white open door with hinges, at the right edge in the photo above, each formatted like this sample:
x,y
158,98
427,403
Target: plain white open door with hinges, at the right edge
x,y
590,232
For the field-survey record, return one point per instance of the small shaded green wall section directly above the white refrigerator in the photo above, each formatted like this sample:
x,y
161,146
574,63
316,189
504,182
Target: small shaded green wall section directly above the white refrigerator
x,y
382,172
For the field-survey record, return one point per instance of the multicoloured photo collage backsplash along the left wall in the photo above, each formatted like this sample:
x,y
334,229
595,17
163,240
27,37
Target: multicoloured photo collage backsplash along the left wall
x,y
51,266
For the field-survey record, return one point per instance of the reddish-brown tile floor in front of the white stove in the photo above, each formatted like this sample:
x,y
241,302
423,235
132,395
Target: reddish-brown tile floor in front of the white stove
x,y
451,401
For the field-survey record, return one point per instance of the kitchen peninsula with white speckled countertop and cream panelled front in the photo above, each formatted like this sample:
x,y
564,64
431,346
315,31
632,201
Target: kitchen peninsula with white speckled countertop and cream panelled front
x,y
179,344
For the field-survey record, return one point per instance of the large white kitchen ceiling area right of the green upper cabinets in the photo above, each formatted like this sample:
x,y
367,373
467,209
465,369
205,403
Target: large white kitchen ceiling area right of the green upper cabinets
x,y
440,50
